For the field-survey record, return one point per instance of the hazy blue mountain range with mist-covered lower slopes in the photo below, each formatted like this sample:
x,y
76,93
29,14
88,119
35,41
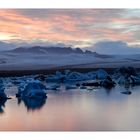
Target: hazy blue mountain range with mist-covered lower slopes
x,y
35,58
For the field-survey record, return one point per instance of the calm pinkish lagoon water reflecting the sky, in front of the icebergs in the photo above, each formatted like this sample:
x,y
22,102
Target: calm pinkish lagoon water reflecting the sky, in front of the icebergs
x,y
73,110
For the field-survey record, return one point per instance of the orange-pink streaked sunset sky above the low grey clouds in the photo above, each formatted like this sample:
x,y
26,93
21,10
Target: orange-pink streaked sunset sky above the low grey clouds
x,y
78,27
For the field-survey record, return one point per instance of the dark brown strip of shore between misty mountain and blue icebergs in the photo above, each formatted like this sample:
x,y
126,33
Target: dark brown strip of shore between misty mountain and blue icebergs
x,y
13,73
